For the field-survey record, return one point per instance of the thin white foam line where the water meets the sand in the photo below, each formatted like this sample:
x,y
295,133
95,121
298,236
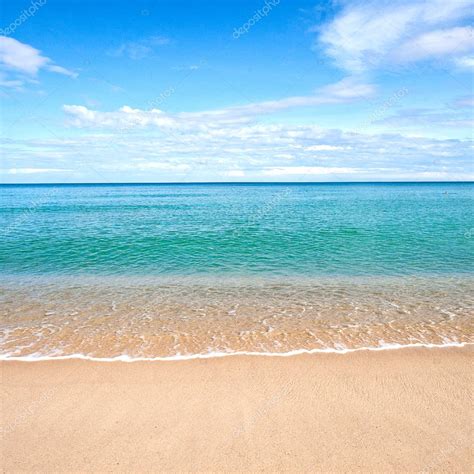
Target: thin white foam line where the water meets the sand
x,y
211,355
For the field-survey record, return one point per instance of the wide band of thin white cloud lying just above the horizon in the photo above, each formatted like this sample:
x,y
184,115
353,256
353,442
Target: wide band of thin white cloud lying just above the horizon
x,y
250,152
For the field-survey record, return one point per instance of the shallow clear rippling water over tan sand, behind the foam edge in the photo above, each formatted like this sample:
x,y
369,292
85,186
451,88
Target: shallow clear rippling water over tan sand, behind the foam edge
x,y
186,321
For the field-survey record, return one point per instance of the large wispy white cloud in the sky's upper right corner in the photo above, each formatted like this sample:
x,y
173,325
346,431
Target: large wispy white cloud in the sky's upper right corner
x,y
370,34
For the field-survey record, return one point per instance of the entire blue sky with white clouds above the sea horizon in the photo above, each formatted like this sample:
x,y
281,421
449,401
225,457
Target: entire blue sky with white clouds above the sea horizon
x,y
248,90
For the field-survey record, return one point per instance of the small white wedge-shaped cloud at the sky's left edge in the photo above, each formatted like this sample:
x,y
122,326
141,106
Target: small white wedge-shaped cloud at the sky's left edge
x,y
23,59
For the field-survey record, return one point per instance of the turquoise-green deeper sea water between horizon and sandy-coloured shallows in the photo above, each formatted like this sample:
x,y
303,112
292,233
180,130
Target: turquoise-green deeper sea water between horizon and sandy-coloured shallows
x,y
318,229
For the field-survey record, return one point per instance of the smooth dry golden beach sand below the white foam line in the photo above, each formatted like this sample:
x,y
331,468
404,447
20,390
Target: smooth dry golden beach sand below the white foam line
x,y
393,410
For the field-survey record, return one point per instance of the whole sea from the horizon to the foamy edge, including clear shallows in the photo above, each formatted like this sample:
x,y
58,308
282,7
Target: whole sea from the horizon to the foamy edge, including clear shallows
x,y
150,271
